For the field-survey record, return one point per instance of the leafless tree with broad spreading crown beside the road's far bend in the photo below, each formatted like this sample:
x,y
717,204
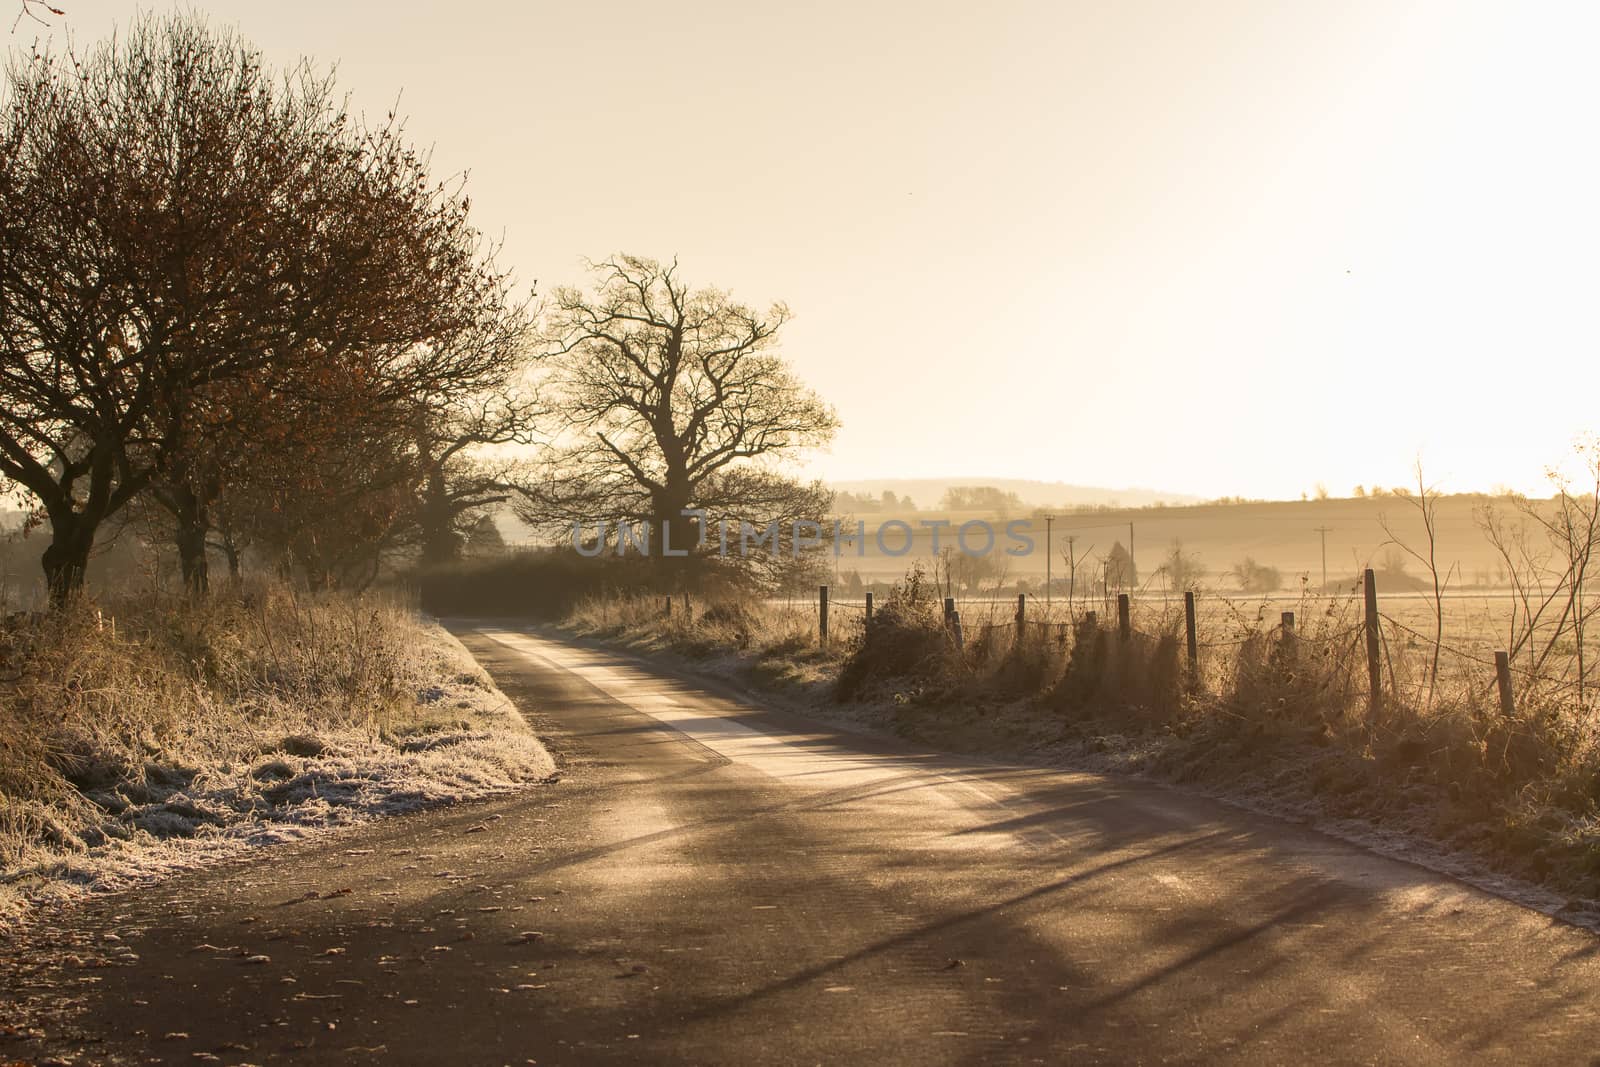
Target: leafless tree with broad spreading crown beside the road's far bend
x,y
676,399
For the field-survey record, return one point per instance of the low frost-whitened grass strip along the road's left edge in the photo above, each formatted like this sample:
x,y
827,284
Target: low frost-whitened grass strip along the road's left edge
x,y
462,741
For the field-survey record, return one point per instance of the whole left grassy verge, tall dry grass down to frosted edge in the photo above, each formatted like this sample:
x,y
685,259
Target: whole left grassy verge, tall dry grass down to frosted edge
x,y
178,741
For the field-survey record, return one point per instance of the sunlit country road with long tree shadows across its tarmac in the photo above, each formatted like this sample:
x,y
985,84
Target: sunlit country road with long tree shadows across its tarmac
x,y
724,884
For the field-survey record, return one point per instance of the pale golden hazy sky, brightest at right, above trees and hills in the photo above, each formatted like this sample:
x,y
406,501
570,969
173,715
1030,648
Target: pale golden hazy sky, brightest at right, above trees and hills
x,y
1222,249
